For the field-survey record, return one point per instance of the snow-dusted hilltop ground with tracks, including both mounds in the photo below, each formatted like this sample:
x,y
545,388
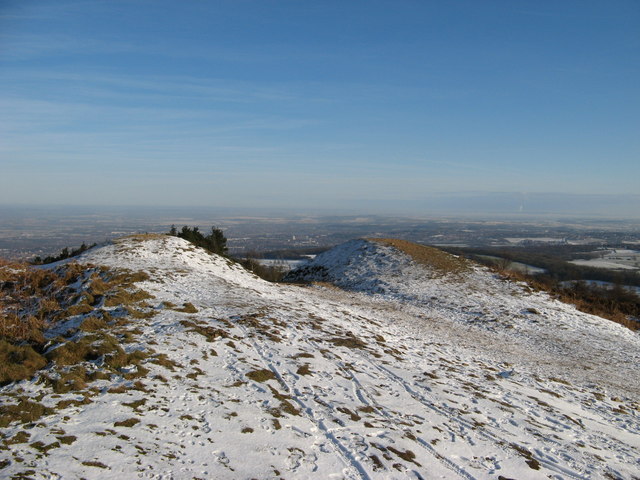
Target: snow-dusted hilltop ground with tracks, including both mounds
x,y
393,379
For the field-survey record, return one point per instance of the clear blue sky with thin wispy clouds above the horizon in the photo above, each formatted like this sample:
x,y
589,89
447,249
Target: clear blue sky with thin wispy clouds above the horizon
x,y
326,104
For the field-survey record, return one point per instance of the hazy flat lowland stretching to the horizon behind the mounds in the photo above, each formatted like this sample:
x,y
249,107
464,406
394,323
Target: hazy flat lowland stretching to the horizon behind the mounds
x,y
27,232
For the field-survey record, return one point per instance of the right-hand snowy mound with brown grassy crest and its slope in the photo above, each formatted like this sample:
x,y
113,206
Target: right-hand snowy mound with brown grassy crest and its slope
x,y
485,312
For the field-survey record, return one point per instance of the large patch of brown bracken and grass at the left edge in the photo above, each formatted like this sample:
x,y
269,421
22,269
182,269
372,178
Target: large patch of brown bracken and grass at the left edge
x,y
35,299
